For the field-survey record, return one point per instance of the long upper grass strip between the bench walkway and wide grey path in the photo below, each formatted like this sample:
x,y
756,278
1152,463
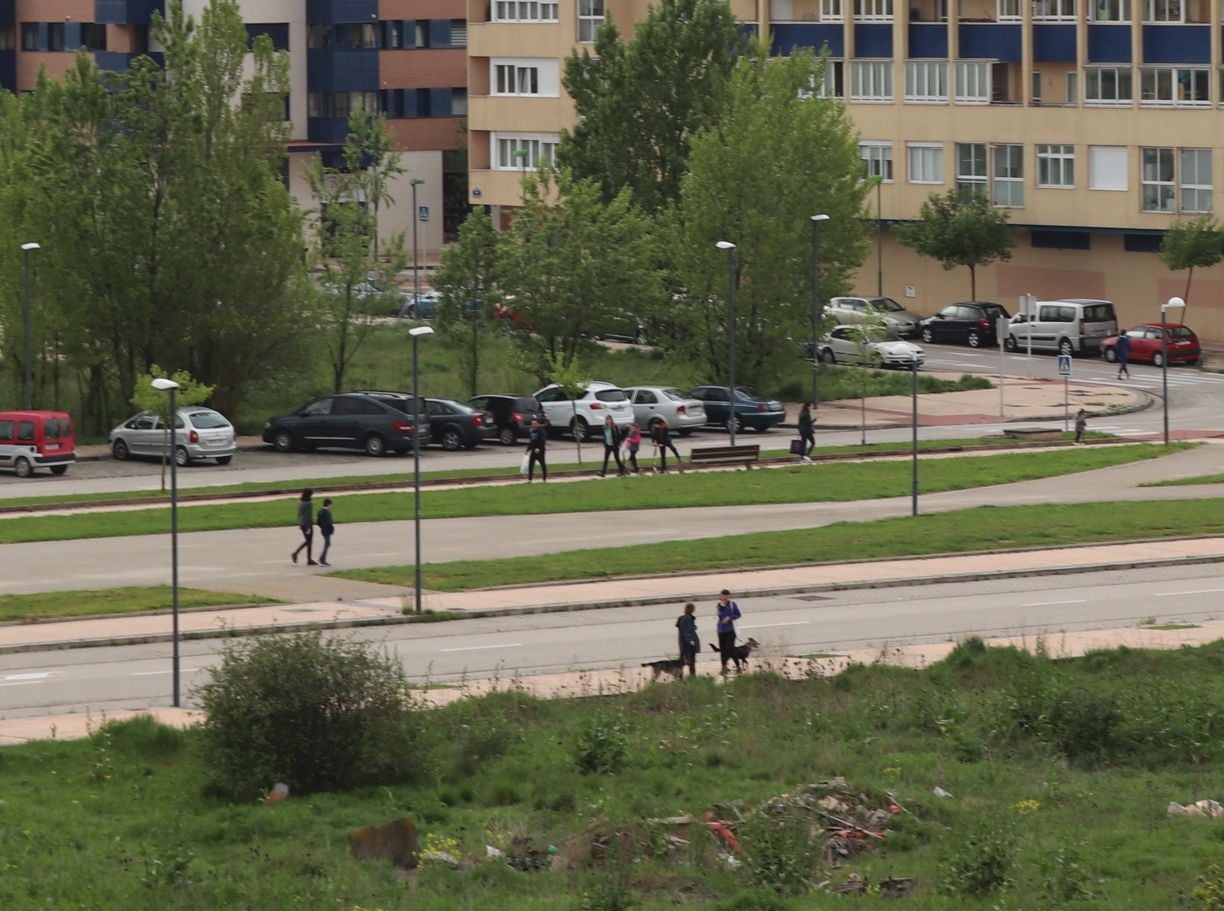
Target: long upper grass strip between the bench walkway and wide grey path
x,y
823,483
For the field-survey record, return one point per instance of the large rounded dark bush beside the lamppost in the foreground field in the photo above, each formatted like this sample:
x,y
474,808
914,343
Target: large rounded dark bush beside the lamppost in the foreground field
x,y
320,716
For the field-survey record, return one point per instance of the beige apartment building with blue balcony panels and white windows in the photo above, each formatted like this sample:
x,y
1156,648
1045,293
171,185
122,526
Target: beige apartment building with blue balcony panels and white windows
x,y
1095,124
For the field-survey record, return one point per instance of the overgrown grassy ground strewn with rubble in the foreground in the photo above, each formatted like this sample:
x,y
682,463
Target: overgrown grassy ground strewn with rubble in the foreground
x,y
1059,776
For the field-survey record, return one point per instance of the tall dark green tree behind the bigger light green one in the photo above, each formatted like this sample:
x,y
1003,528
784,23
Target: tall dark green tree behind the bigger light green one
x,y
641,102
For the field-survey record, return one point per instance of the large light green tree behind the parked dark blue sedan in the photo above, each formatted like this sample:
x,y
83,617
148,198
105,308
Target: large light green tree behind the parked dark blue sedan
x,y
779,156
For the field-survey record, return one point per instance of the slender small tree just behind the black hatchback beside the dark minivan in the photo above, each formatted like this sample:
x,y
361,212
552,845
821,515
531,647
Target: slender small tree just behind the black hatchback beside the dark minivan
x,y
467,280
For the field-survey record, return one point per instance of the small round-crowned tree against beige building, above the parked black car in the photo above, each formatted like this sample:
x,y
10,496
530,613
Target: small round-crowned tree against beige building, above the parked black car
x,y
960,230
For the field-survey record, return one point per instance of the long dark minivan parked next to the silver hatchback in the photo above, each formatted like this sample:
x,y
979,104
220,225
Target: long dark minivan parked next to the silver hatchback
x,y
351,421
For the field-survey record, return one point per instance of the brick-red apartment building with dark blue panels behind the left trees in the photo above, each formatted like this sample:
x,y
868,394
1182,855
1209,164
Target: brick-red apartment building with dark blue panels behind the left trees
x,y
405,58
